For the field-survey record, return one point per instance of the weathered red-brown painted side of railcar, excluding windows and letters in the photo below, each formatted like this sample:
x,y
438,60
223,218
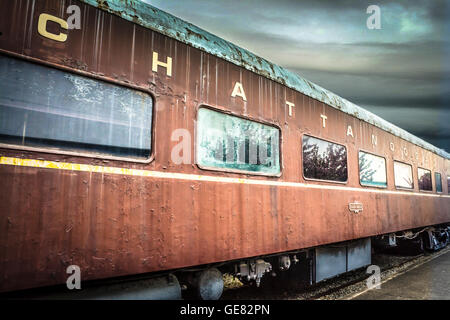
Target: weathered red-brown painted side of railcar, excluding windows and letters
x,y
112,218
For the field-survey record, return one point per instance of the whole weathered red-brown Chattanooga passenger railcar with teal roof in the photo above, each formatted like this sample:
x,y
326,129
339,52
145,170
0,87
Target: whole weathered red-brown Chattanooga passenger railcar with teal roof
x,y
136,144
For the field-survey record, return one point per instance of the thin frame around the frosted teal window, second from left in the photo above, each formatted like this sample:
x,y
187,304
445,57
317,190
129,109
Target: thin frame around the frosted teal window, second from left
x,y
249,118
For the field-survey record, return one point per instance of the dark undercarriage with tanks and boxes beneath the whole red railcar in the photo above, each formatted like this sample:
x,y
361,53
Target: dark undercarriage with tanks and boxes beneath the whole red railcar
x,y
305,267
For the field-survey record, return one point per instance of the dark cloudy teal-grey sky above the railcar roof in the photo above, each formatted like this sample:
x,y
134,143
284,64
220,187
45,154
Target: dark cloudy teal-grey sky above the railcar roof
x,y
400,72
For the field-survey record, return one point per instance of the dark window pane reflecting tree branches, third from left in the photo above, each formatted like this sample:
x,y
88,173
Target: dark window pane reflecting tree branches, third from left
x,y
323,160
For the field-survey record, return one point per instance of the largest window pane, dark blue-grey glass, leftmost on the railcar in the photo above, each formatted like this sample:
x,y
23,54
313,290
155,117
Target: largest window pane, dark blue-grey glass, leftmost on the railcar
x,y
46,107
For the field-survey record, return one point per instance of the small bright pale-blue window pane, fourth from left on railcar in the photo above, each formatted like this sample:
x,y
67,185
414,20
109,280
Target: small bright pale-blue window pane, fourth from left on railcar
x,y
372,170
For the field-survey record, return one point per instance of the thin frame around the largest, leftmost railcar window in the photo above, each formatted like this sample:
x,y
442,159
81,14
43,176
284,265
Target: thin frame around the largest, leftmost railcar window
x,y
87,154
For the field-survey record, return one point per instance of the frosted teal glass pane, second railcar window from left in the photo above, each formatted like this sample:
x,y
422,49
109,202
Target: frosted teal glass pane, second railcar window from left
x,y
231,143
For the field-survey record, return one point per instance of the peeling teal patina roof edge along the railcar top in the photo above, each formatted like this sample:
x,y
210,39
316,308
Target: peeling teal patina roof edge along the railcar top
x,y
155,19
